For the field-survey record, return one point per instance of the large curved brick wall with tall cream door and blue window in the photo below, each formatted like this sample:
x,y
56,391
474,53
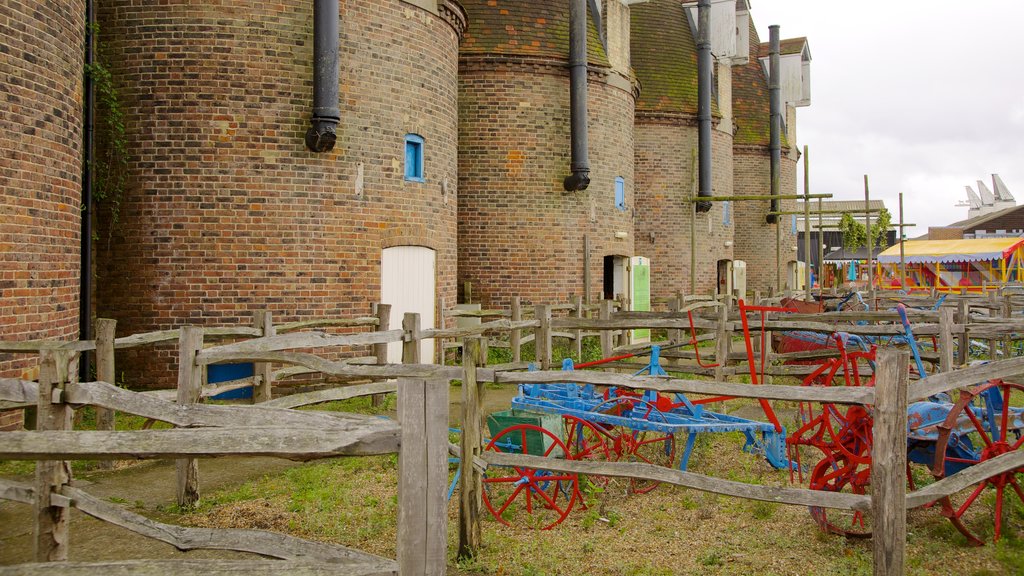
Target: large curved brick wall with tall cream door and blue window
x,y
228,212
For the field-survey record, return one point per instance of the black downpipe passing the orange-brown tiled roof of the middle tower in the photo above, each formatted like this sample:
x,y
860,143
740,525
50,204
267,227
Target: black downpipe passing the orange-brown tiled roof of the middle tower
x,y
580,179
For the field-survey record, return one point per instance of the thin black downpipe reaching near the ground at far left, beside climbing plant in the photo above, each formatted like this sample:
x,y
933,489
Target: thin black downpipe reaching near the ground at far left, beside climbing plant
x,y
89,153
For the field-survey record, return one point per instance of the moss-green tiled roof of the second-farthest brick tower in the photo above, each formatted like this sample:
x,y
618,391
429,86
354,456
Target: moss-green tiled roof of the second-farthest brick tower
x,y
665,57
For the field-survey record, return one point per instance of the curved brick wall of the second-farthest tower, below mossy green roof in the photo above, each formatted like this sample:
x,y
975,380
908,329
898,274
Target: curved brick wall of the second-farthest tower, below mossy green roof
x,y
665,181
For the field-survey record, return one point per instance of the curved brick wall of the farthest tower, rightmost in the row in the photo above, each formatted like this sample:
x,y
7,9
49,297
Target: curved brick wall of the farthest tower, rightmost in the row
x,y
756,239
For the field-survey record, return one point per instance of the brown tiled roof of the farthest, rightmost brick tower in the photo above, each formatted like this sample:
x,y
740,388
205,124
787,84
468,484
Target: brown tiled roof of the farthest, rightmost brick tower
x,y
751,109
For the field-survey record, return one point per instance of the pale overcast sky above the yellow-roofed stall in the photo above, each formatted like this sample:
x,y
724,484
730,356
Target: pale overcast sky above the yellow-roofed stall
x,y
925,97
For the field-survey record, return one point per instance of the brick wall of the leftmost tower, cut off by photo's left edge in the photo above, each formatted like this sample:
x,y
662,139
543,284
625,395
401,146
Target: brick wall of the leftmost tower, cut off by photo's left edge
x,y
40,175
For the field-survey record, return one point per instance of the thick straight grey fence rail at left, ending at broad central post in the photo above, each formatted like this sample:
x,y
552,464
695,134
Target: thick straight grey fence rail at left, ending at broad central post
x,y
290,443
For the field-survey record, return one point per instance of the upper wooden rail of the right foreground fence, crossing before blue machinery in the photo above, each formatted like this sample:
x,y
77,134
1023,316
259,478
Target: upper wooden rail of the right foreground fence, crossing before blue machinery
x,y
851,395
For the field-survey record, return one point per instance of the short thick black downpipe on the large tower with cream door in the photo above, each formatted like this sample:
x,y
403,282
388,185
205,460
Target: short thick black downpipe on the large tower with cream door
x,y
323,134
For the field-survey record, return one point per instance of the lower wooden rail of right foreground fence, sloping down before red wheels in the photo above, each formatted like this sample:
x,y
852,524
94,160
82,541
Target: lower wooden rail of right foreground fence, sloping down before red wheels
x,y
797,497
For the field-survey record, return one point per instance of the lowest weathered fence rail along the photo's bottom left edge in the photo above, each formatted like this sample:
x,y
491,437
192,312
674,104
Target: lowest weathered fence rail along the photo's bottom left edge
x,y
186,567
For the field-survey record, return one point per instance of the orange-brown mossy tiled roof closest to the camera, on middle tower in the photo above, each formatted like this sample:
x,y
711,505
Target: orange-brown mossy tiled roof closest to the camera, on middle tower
x,y
531,28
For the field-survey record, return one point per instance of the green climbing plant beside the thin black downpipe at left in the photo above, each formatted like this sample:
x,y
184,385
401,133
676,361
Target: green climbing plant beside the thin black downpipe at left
x,y
111,162
